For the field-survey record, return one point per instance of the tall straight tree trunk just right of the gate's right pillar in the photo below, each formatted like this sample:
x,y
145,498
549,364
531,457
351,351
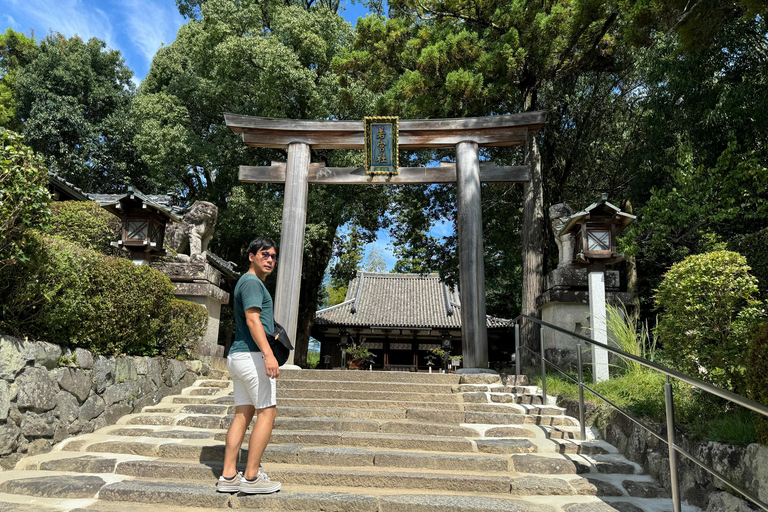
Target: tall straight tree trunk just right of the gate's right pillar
x,y
533,243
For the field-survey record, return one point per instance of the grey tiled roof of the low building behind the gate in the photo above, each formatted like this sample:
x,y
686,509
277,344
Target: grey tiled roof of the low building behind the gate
x,y
398,301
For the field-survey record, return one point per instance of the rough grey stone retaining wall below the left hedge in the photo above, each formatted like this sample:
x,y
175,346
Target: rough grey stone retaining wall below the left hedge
x,y
48,393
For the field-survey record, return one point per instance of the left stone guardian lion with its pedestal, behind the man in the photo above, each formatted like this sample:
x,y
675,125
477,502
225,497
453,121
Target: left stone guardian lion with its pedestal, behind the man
x,y
193,274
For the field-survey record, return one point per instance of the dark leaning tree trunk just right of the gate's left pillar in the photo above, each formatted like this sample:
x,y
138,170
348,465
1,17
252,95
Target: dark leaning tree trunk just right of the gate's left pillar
x,y
315,263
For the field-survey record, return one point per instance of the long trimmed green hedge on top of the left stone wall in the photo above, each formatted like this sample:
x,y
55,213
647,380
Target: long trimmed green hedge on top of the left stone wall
x,y
67,294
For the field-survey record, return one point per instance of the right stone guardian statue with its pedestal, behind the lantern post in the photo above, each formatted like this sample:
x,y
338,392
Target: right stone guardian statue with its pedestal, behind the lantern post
x,y
565,300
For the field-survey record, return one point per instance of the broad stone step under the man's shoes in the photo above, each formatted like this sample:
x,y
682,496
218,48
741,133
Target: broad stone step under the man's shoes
x,y
185,491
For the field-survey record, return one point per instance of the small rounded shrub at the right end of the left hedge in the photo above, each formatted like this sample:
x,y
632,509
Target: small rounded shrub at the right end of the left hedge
x,y
185,327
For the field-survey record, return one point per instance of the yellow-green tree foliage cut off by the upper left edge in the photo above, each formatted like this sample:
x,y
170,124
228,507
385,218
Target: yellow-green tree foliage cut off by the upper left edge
x,y
16,51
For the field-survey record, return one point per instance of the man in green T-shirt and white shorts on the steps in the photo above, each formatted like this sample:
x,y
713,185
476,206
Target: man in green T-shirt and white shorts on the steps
x,y
253,369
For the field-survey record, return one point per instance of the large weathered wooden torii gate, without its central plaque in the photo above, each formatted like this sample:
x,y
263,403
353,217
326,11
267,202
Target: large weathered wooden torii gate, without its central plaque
x,y
467,135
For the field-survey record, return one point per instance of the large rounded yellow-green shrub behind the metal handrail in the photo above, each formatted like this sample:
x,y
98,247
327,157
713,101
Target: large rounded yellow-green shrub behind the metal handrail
x,y
710,305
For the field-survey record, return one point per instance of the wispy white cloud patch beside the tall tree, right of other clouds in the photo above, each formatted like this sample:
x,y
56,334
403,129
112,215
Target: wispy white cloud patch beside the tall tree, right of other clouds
x,y
150,24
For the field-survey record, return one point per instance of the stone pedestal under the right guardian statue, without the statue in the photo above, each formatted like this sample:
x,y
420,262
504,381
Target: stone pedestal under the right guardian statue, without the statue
x,y
565,303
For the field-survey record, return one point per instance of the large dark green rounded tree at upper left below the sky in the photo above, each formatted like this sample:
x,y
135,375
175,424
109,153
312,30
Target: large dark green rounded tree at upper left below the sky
x,y
74,99
